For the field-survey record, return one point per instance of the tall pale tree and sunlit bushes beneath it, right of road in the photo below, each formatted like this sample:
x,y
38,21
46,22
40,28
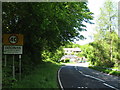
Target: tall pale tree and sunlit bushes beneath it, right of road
x,y
105,47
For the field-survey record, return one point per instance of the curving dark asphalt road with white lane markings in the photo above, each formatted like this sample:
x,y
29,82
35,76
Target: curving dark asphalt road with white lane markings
x,y
79,76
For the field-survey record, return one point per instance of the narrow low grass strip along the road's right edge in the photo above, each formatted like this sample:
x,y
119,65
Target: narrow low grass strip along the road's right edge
x,y
111,72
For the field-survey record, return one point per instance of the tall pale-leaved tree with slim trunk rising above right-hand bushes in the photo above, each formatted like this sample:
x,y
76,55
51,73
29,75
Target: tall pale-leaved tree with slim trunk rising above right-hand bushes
x,y
106,24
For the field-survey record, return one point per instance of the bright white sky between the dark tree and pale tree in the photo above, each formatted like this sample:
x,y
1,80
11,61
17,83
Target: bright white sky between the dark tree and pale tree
x,y
94,6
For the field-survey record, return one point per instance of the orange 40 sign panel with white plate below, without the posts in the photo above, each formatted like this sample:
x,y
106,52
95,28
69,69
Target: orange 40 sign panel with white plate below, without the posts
x,y
13,43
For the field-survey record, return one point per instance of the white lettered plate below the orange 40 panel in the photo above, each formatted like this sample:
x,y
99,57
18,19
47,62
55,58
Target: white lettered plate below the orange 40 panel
x,y
11,49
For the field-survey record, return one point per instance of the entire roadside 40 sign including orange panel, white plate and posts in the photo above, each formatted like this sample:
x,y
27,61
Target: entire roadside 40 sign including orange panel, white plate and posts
x,y
13,44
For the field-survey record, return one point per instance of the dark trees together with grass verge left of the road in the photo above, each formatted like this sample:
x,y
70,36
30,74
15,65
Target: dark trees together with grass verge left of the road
x,y
46,27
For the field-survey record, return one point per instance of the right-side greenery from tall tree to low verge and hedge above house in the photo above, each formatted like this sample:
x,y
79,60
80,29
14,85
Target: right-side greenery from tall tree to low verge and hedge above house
x,y
104,51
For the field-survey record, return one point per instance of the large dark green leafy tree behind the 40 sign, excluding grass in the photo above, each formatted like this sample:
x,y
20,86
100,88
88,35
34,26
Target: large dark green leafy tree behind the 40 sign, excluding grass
x,y
45,26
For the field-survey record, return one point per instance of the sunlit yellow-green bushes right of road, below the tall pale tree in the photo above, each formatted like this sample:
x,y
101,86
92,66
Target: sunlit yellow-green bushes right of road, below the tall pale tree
x,y
98,52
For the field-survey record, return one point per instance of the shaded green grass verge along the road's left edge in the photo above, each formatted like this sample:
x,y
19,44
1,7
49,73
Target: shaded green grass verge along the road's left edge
x,y
44,76
